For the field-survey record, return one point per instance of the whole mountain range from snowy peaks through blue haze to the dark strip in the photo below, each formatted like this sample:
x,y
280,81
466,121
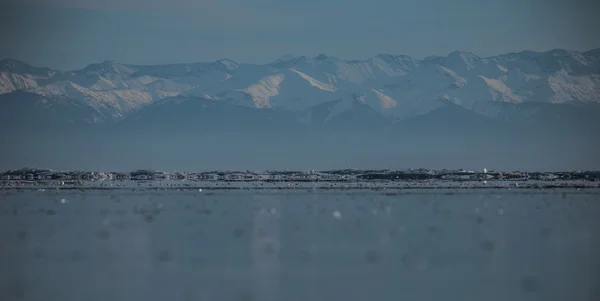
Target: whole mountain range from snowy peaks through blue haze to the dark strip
x,y
523,104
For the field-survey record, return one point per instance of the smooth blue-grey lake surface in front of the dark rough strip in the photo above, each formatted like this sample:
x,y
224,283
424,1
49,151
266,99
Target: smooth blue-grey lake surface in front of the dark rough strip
x,y
275,245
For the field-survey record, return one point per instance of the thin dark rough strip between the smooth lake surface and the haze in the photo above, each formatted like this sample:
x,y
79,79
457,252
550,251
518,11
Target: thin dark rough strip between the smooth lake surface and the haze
x,y
290,180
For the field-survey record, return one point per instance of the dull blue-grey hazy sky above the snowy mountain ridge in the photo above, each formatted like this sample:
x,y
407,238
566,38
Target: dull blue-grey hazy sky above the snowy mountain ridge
x,y
69,34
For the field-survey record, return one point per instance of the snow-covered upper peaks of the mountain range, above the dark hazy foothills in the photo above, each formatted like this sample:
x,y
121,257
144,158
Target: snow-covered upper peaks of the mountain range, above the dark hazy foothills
x,y
394,87
